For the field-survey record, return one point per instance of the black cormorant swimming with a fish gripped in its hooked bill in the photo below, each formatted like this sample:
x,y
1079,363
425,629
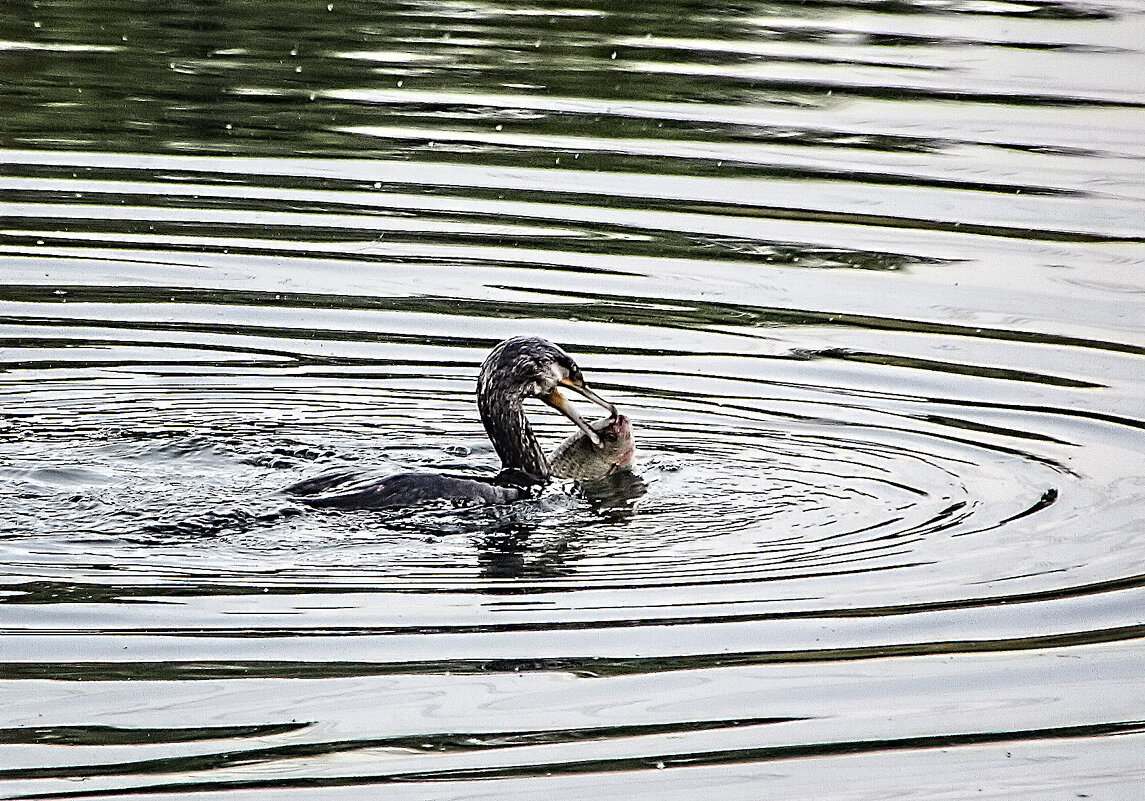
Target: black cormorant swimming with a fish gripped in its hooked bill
x,y
518,369
